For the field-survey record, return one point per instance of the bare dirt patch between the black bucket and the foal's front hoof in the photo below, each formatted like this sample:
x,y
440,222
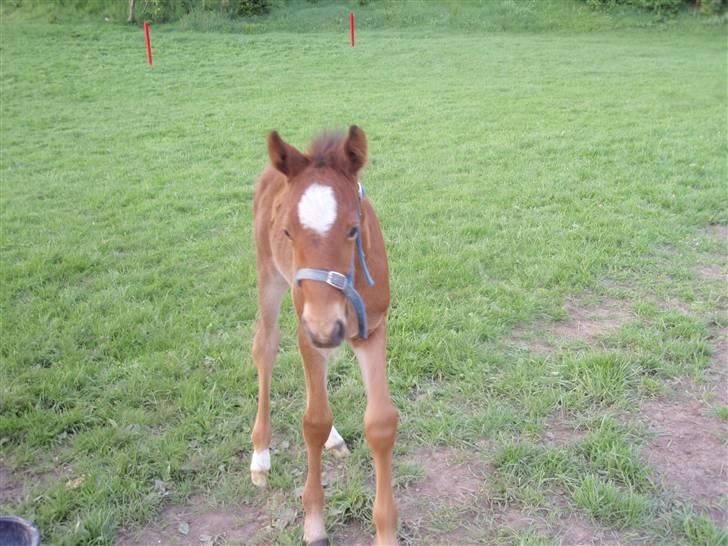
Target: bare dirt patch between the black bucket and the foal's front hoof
x,y
195,525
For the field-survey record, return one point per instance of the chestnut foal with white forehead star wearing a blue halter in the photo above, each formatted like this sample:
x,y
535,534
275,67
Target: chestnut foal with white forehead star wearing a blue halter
x,y
316,233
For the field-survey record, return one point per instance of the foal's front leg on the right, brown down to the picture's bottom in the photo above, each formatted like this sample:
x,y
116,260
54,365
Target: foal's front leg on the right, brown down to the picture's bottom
x,y
380,426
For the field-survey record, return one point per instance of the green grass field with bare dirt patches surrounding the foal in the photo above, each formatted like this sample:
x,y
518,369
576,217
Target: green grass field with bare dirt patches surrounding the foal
x,y
555,207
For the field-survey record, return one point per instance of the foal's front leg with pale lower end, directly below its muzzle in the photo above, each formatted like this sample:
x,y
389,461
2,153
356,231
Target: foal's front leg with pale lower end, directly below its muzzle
x,y
317,421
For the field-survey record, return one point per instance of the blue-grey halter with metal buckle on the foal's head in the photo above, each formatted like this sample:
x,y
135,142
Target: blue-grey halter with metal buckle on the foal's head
x,y
345,283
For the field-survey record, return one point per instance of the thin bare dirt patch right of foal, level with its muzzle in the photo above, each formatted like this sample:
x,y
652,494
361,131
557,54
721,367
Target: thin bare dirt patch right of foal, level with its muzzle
x,y
586,322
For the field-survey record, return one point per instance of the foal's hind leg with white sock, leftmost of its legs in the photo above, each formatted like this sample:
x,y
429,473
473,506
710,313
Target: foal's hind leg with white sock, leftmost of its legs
x,y
271,288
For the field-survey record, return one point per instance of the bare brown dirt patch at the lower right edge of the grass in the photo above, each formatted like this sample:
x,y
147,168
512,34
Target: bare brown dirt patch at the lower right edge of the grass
x,y
689,450
